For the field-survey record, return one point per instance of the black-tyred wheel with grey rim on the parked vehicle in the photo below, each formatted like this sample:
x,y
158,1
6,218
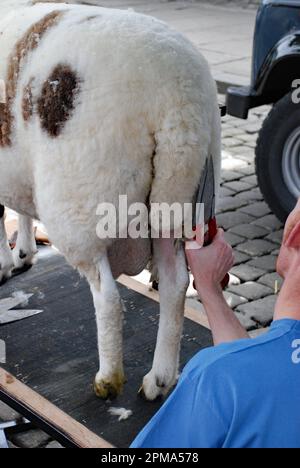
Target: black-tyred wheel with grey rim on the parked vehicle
x,y
278,157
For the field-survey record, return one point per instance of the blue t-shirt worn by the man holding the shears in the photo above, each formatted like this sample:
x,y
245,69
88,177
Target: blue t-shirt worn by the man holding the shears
x,y
245,394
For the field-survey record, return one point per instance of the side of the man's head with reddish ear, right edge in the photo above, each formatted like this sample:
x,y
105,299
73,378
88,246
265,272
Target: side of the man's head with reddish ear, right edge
x,y
289,256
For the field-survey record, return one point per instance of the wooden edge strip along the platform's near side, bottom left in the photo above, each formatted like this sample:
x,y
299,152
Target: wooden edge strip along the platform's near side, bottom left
x,y
56,418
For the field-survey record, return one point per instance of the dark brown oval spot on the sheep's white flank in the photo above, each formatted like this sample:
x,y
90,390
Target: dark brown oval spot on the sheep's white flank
x,y
56,102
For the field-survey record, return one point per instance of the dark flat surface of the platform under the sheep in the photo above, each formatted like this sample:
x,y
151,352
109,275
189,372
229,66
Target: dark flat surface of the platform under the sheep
x,y
55,353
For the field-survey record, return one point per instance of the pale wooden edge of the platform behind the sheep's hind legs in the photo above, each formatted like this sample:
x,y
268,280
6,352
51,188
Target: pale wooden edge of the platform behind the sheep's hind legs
x,y
190,313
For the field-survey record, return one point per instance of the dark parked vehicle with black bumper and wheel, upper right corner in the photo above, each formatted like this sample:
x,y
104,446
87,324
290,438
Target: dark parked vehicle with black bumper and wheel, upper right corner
x,y
275,80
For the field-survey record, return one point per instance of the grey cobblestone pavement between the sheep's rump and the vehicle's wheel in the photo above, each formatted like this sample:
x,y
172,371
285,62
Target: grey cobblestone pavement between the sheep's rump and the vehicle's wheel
x,y
252,230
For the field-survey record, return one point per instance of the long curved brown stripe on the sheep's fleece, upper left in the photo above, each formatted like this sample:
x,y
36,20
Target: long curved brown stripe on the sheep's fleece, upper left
x,y
23,47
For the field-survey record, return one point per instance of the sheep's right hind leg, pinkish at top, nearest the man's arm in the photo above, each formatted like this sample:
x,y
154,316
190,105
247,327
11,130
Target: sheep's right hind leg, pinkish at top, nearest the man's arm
x,y
173,284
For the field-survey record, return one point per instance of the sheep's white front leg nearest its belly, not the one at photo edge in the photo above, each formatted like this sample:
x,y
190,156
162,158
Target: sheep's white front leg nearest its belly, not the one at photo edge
x,y
25,249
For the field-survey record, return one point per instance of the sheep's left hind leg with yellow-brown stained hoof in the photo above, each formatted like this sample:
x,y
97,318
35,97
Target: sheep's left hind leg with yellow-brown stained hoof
x,y
109,312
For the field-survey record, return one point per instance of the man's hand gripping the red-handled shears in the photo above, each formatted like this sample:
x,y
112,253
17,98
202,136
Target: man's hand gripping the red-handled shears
x,y
209,265
